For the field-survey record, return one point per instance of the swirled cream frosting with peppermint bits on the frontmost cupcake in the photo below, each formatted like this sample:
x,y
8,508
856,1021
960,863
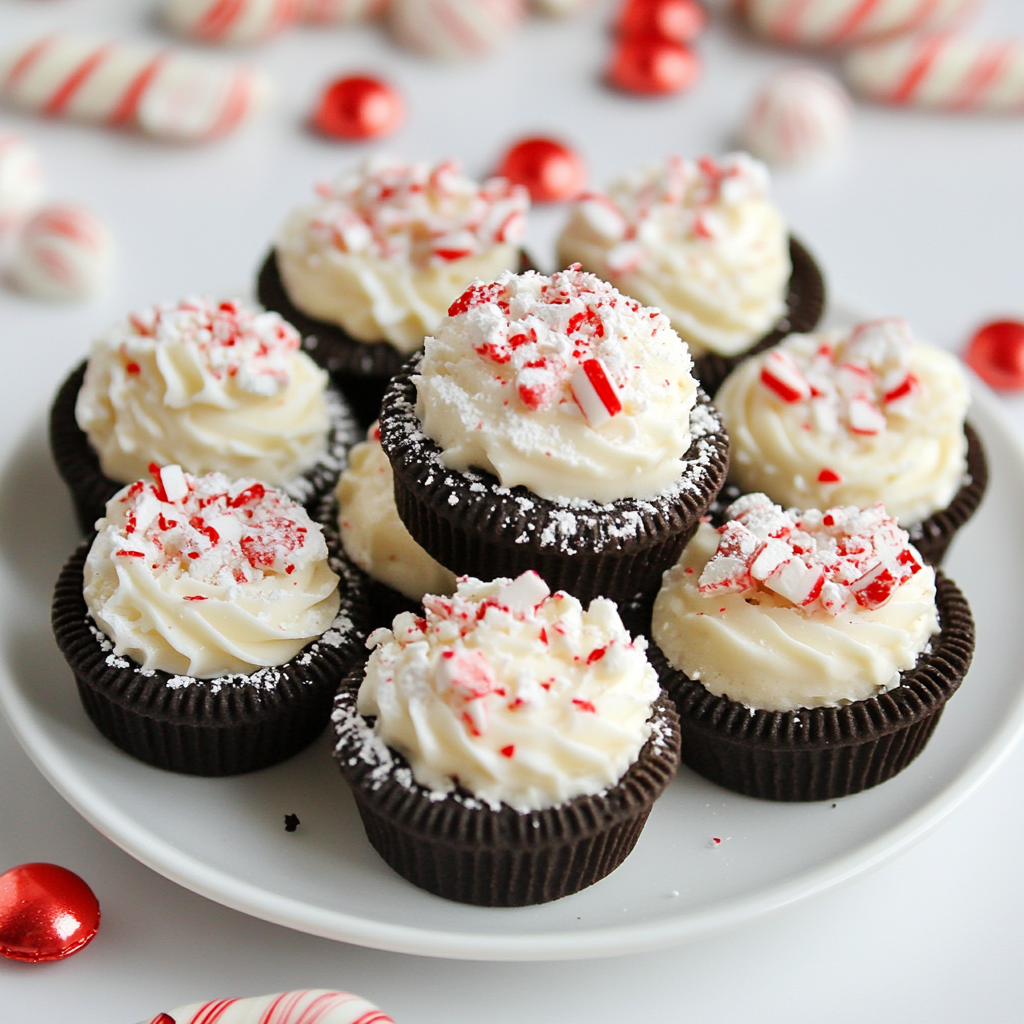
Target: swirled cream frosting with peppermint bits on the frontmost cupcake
x,y
518,695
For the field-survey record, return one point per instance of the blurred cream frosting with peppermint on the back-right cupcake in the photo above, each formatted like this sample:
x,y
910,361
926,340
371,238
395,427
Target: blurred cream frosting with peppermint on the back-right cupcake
x,y
698,239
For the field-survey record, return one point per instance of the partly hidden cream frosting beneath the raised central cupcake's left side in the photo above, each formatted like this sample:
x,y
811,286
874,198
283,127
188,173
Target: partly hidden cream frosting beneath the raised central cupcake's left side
x,y
372,533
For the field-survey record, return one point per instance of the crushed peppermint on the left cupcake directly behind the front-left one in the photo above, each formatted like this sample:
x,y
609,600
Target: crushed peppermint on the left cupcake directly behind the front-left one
x,y
229,340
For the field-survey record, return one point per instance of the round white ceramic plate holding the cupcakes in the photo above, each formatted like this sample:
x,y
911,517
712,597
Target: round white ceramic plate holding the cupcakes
x,y
226,838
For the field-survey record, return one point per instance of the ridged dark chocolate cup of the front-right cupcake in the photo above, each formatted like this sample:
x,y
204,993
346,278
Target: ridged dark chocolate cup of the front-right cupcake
x,y
824,753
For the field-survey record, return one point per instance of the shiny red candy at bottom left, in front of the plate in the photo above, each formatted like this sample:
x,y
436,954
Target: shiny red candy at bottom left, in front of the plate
x,y
47,913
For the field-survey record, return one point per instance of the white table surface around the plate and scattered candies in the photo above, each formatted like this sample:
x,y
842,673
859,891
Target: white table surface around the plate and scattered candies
x,y
923,217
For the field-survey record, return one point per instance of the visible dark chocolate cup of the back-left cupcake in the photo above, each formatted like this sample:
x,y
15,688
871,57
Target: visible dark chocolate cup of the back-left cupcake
x,y
362,369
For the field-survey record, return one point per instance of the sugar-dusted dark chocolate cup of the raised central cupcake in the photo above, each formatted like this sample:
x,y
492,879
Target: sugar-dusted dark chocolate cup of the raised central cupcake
x,y
473,526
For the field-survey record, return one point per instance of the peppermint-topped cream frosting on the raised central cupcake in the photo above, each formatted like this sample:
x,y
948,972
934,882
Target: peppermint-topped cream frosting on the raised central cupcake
x,y
561,385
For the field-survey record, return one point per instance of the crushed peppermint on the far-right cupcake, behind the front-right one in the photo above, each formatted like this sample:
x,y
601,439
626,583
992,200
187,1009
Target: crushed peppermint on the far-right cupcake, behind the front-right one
x,y
855,382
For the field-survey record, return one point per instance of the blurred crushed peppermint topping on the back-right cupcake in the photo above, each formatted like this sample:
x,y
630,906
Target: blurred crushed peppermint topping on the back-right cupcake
x,y
679,198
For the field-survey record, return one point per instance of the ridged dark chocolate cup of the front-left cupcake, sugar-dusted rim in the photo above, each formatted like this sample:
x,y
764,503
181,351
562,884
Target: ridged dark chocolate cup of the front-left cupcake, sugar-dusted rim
x,y
224,727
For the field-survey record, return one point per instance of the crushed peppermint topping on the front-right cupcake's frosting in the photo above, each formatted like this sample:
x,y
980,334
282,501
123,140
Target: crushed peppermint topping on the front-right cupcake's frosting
x,y
828,562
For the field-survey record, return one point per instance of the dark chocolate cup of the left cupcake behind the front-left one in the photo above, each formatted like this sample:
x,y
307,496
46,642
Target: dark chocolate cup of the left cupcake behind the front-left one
x,y
79,467
